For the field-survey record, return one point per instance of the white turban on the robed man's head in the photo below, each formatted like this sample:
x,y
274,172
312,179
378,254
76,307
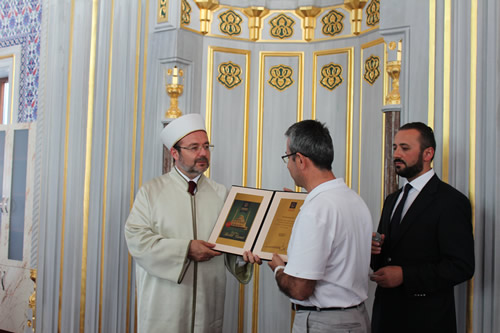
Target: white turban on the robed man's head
x,y
181,127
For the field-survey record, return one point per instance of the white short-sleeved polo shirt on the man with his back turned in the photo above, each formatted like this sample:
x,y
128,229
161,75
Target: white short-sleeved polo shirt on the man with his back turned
x,y
330,243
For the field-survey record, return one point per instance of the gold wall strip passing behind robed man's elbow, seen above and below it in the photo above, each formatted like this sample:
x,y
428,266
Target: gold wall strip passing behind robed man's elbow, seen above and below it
x,y
134,141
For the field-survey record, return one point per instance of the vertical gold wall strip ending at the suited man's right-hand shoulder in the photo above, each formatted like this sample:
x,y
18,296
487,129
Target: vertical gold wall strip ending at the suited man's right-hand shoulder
x,y
446,89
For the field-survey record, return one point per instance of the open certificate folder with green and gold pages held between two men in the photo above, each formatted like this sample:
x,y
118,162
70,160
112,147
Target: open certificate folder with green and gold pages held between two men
x,y
257,220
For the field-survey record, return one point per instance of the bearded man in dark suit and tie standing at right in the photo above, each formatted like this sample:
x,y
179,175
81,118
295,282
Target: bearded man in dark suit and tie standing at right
x,y
426,245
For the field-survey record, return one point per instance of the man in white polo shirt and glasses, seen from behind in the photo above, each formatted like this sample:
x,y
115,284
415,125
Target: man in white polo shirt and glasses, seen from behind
x,y
326,276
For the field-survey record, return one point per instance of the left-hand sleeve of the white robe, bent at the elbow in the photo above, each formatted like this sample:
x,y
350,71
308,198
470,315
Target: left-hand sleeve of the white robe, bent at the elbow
x,y
162,257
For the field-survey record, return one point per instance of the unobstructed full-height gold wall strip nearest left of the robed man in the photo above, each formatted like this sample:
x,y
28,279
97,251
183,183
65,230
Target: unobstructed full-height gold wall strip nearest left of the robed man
x,y
106,161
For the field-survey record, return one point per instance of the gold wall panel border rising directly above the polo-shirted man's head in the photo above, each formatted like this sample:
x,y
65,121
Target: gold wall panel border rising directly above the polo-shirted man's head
x,y
350,102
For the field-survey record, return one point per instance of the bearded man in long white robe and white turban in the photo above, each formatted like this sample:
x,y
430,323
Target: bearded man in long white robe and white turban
x,y
180,279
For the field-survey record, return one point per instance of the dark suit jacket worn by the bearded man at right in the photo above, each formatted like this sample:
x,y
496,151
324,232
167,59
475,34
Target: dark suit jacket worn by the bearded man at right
x,y
435,248
